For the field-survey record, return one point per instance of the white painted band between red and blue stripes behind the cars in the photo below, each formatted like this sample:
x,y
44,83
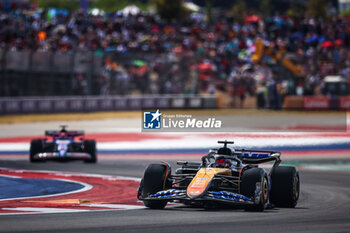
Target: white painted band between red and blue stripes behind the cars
x,y
200,141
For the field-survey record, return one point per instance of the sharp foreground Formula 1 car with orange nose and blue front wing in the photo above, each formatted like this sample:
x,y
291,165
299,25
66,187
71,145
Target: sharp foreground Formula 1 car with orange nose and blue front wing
x,y
224,177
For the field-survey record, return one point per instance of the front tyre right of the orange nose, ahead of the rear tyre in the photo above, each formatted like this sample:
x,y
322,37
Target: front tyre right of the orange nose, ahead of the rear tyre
x,y
248,188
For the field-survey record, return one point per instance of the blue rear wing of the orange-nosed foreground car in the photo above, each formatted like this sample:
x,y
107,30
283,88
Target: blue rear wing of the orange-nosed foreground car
x,y
258,156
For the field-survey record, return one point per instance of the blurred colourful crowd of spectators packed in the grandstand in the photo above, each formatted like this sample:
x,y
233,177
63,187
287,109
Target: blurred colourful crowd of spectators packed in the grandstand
x,y
193,56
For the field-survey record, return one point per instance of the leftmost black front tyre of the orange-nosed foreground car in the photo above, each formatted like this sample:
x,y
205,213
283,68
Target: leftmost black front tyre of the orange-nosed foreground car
x,y
154,180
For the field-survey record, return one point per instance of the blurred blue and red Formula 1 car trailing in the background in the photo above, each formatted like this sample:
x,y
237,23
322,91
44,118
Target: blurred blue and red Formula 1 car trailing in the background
x,y
63,145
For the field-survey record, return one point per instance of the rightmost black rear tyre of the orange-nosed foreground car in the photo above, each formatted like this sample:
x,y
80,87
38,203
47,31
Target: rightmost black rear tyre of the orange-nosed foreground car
x,y
285,186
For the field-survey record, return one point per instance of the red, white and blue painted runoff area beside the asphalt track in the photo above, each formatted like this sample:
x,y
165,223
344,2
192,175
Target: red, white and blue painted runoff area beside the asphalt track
x,y
36,190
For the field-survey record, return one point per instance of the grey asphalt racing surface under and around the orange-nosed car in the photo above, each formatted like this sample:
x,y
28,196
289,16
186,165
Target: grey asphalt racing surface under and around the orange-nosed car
x,y
323,207
